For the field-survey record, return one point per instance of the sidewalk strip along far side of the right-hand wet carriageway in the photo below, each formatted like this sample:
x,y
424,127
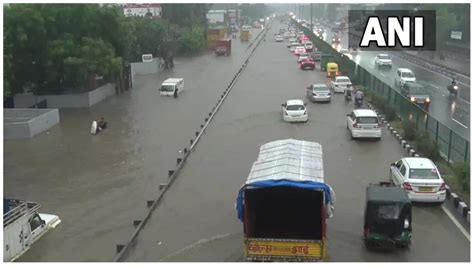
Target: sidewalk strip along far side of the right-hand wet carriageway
x,y
461,64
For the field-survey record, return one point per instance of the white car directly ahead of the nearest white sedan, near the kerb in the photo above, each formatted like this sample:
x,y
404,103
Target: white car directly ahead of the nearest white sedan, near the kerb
x,y
364,123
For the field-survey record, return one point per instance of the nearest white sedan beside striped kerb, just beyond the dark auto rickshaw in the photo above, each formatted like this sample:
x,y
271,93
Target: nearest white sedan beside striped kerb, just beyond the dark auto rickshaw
x,y
420,178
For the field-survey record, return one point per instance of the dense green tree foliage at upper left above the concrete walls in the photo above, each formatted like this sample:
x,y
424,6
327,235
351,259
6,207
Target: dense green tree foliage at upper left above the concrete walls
x,y
49,47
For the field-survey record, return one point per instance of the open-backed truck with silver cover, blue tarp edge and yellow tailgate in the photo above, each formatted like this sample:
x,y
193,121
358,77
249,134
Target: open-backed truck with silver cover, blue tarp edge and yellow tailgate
x,y
285,202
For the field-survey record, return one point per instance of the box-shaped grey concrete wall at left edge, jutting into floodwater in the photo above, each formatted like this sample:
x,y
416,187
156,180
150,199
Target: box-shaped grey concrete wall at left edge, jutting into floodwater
x,y
36,121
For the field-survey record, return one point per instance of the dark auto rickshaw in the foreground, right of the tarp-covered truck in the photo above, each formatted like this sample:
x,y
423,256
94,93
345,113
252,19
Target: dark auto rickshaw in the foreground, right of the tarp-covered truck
x,y
387,216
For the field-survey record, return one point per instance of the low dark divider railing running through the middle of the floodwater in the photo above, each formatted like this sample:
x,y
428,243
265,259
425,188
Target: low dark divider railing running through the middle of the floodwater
x,y
123,249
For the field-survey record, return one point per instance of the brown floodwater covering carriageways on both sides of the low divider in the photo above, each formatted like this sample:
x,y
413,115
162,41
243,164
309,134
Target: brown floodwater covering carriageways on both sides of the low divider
x,y
99,184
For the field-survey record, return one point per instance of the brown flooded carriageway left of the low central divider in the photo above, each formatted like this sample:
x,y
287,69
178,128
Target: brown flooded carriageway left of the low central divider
x,y
99,184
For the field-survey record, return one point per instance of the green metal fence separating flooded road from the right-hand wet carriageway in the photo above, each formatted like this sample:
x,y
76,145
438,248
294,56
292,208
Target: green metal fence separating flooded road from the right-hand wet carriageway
x,y
452,146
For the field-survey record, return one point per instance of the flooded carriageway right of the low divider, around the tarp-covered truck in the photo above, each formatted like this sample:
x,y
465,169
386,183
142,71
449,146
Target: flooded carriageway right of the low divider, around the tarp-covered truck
x,y
196,220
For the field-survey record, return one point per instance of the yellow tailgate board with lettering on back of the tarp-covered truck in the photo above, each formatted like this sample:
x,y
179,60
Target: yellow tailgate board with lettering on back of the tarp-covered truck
x,y
268,248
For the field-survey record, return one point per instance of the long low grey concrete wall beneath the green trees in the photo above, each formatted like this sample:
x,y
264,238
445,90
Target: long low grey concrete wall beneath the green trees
x,y
79,100
